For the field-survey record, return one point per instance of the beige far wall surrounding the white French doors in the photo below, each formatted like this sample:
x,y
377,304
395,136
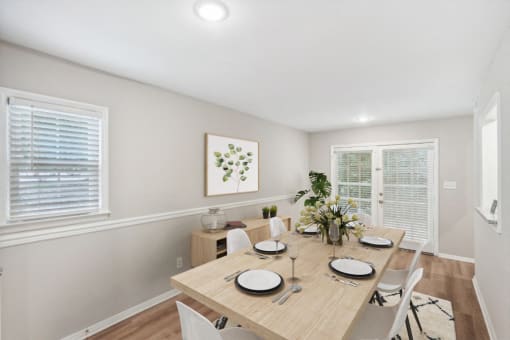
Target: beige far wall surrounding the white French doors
x,y
455,164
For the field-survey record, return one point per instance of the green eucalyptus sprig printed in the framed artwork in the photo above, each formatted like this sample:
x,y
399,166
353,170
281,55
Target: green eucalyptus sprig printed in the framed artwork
x,y
235,164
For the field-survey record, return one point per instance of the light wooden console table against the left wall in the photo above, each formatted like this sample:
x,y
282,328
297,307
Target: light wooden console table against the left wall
x,y
206,247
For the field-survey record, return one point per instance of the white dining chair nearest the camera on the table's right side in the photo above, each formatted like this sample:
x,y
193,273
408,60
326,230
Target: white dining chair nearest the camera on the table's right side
x,y
384,323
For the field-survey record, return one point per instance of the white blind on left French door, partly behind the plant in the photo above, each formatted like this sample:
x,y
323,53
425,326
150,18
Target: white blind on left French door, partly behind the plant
x,y
354,178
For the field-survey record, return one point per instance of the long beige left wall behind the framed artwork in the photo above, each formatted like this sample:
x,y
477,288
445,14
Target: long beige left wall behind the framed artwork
x,y
54,288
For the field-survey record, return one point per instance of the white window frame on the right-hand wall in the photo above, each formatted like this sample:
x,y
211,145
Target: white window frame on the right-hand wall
x,y
495,221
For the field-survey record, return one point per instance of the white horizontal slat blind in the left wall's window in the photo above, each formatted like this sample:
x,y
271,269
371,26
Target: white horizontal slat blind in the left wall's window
x,y
54,160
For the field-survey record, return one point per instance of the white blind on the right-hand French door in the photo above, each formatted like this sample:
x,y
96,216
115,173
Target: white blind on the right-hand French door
x,y
408,176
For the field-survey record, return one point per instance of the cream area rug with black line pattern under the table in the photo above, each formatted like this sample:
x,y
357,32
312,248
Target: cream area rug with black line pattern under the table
x,y
436,317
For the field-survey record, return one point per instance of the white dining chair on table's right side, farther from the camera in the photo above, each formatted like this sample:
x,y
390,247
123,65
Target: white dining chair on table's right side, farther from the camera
x,y
394,280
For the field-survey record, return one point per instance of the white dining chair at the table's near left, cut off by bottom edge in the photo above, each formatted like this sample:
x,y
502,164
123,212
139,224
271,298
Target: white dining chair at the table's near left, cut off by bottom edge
x,y
194,326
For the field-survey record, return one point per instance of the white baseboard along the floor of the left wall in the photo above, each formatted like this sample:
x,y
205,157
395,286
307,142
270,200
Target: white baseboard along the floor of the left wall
x,y
112,320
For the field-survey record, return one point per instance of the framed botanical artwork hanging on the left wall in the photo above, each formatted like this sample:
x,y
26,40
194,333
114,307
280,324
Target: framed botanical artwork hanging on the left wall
x,y
231,165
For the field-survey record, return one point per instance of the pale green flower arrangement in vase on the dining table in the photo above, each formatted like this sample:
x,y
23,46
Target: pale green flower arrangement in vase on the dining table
x,y
326,212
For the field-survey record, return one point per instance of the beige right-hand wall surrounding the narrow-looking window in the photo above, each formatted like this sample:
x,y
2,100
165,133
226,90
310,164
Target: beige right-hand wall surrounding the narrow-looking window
x,y
492,250
